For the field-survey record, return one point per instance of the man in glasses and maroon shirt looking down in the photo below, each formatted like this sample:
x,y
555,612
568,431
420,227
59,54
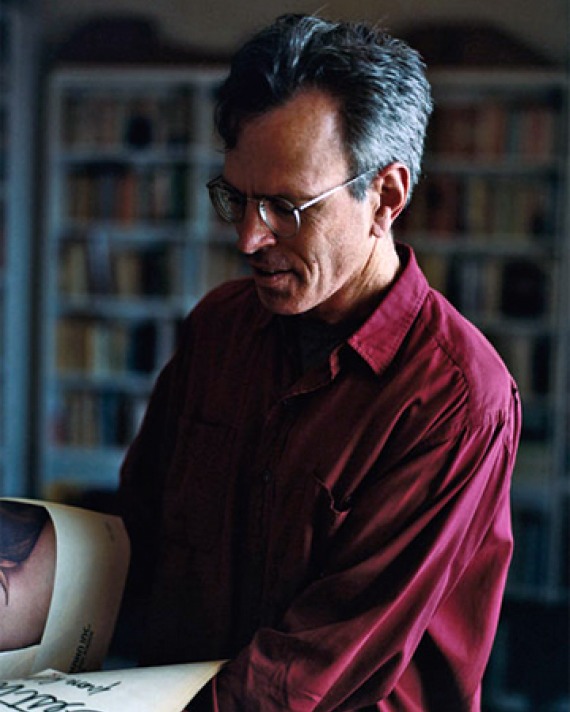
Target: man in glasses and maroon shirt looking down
x,y
319,492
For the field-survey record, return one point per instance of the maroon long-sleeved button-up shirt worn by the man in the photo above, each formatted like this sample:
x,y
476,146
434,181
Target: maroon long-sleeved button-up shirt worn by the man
x,y
343,536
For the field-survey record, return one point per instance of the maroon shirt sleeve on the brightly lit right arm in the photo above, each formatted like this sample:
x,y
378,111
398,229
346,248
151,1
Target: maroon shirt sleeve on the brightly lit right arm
x,y
398,598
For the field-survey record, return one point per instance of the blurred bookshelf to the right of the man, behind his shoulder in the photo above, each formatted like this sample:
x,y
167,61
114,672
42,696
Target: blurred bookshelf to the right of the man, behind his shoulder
x,y
490,225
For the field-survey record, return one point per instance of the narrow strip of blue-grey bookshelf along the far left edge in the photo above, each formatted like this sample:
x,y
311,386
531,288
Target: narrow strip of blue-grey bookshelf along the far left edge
x,y
17,107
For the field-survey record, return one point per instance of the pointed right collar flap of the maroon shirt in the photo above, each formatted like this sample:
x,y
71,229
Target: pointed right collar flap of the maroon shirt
x,y
379,338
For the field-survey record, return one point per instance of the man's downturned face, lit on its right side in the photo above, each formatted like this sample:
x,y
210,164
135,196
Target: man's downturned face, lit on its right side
x,y
295,151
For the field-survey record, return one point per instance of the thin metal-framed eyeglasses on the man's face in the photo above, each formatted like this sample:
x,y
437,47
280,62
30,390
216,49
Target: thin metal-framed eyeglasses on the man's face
x,y
280,215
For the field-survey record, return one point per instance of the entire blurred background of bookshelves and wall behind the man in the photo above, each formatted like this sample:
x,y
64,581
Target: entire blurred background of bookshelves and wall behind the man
x,y
107,239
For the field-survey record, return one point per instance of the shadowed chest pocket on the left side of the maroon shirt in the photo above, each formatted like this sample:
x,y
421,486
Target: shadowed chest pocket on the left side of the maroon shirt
x,y
198,484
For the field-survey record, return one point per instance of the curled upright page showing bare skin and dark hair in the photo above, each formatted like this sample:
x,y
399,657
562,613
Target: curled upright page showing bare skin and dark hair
x,y
62,576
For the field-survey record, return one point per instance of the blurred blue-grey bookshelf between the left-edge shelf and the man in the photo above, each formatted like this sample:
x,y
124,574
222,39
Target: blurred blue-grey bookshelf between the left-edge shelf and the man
x,y
131,244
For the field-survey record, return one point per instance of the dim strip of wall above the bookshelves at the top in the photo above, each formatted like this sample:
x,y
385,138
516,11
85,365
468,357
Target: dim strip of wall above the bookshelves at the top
x,y
220,24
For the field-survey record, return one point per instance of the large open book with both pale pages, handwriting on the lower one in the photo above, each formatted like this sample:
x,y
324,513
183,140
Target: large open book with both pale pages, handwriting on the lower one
x,y
62,575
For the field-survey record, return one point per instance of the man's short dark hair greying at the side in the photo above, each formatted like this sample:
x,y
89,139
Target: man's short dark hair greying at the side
x,y
379,81
